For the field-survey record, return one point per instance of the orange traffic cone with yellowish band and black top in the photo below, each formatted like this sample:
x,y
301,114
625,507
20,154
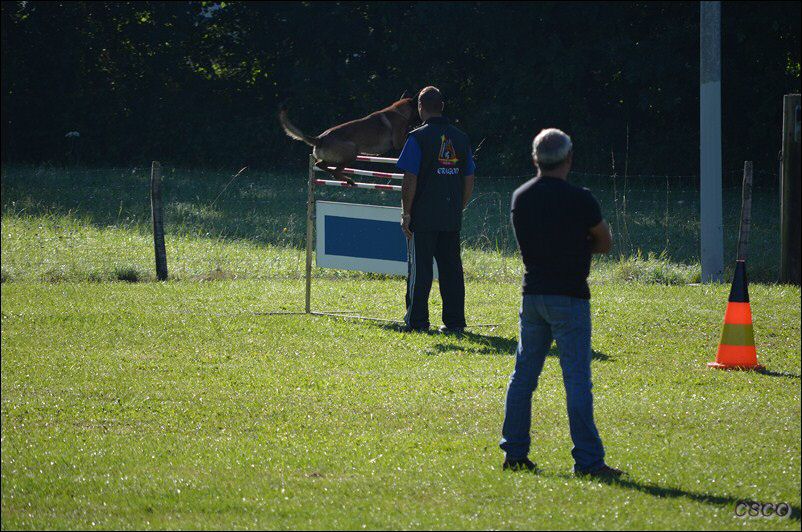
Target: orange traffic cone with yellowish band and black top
x,y
737,347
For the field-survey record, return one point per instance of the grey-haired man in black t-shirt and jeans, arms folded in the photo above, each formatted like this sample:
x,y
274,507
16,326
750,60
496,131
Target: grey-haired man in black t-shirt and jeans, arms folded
x,y
558,227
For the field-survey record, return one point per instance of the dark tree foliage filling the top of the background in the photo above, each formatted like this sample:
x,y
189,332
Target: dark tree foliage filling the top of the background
x,y
198,83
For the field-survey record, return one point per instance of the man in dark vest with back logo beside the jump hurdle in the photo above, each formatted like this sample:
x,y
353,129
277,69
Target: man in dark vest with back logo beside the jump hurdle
x,y
438,181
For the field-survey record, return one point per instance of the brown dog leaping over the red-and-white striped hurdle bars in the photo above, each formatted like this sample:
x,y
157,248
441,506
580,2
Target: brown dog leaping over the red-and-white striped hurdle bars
x,y
374,134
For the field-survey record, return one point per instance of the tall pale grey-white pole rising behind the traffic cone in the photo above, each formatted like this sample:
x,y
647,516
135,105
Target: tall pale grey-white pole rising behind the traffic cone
x,y
710,142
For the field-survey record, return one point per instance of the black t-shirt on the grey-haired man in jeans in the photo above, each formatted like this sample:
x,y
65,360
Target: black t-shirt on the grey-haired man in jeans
x,y
551,218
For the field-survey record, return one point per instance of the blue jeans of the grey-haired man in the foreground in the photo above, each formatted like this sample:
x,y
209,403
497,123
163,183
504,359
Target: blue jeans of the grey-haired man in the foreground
x,y
567,320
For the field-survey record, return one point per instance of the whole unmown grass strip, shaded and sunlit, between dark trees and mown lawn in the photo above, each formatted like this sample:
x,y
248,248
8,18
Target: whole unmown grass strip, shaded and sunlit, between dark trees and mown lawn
x,y
84,224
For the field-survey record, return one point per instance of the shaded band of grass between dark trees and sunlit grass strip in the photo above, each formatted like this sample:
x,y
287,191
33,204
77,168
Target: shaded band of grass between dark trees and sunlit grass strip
x,y
649,214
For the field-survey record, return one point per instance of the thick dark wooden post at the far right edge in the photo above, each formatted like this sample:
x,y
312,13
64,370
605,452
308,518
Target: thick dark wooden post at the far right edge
x,y
790,192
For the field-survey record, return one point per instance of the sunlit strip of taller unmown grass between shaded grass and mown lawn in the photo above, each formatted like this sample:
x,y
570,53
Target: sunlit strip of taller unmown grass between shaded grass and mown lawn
x,y
51,248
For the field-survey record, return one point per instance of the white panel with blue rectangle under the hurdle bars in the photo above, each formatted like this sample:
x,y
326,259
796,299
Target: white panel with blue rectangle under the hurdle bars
x,y
367,238
